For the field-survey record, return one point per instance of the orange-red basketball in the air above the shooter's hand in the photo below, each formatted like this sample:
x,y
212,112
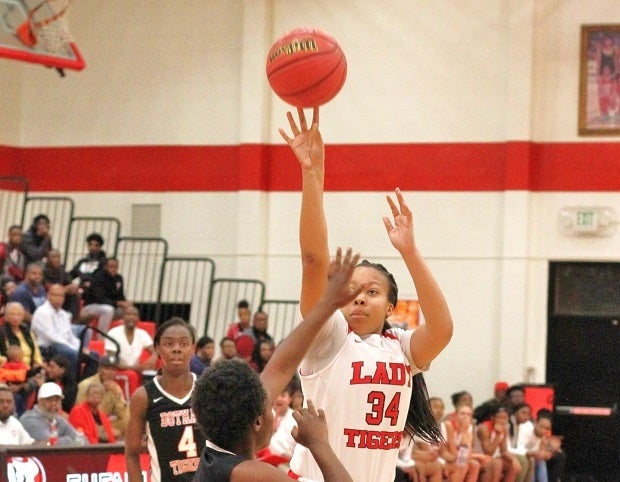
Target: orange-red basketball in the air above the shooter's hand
x,y
306,67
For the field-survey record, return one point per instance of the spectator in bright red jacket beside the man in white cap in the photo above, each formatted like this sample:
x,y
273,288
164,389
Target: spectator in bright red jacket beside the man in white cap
x,y
91,419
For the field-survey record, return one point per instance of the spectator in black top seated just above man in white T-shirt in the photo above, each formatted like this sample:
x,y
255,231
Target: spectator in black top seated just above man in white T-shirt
x,y
105,297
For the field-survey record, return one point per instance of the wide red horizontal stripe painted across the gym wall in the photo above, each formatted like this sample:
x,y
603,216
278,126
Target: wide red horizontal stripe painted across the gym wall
x,y
356,167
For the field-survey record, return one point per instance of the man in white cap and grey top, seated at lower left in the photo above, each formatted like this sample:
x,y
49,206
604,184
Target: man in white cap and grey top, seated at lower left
x,y
39,420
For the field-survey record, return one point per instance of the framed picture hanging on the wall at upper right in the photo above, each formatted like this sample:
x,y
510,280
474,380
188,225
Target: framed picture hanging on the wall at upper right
x,y
599,81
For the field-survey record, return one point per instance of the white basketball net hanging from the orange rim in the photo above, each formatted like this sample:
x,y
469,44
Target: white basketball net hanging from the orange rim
x,y
47,28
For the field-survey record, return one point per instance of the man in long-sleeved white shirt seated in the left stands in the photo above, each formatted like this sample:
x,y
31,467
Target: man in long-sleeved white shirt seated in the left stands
x,y
56,333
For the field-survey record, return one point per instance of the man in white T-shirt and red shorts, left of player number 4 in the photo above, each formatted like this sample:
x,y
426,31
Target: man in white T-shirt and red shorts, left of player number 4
x,y
133,342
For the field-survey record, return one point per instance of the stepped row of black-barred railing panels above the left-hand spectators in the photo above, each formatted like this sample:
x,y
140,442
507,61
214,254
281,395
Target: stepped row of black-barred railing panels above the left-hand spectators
x,y
172,286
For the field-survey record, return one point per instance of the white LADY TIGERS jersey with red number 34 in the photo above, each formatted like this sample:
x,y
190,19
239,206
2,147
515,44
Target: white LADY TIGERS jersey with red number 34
x,y
365,391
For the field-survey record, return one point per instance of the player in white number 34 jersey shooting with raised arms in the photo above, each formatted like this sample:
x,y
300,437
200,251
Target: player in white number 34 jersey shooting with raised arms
x,y
365,374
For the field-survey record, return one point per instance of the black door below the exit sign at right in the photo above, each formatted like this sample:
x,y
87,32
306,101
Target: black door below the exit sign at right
x,y
583,364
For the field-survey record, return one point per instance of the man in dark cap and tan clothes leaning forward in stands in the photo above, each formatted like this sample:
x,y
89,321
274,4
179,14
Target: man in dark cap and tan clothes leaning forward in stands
x,y
114,403
